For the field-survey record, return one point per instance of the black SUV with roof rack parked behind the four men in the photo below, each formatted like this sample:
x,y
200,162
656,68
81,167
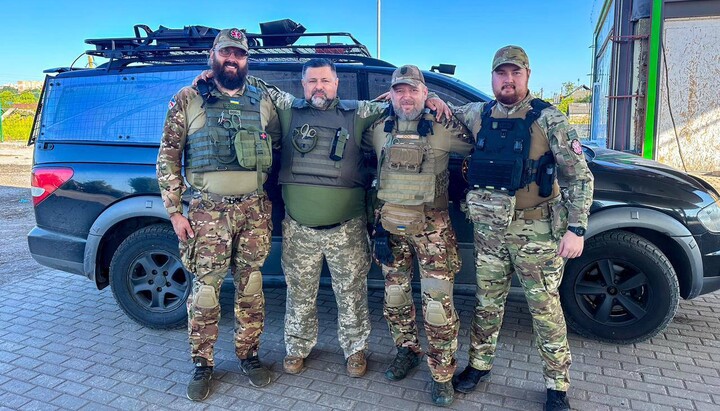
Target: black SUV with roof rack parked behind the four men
x,y
653,236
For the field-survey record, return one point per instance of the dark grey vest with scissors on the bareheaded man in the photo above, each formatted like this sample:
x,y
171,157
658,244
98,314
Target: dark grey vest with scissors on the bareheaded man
x,y
319,149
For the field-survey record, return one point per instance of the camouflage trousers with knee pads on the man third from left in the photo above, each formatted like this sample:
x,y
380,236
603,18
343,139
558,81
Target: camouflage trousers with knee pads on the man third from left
x,y
438,259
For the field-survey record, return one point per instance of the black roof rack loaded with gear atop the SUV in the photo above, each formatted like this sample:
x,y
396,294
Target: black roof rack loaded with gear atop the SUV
x,y
191,44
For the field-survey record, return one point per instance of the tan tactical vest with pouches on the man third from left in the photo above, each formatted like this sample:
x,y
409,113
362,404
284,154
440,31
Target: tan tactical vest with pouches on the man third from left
x,y
407,172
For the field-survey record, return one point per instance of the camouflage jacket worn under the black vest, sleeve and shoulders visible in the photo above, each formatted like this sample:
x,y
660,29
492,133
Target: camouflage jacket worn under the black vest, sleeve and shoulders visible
x,y
562,138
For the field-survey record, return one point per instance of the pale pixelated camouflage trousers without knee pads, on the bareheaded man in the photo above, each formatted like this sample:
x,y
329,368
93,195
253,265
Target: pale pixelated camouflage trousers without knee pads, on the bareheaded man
x,y
346,250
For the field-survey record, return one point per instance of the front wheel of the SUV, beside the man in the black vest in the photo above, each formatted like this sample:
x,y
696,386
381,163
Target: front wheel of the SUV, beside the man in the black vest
x,y
622,289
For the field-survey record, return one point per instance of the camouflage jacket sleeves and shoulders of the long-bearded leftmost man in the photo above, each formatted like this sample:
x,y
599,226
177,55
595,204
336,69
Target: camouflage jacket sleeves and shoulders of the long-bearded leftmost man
x,y
184,117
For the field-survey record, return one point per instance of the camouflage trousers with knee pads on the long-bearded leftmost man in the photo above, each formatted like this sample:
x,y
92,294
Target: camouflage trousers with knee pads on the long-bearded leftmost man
x,y
233,233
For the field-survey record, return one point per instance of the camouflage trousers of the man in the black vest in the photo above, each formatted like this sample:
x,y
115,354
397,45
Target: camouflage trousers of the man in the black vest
x,y
528,248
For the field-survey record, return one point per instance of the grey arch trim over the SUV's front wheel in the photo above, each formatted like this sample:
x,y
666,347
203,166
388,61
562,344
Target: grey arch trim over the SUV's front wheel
x,y
665,232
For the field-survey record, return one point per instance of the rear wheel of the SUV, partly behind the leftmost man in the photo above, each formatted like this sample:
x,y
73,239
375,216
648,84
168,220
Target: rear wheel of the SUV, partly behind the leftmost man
x,y
148,279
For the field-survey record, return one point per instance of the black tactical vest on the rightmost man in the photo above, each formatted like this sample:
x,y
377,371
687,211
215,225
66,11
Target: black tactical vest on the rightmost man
x,y
500,159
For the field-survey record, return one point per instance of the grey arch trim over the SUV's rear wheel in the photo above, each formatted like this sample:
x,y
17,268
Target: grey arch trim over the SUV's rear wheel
x,y
115,224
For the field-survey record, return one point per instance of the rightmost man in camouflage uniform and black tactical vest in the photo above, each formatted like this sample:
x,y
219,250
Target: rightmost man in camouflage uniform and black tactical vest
x,y
526,233
